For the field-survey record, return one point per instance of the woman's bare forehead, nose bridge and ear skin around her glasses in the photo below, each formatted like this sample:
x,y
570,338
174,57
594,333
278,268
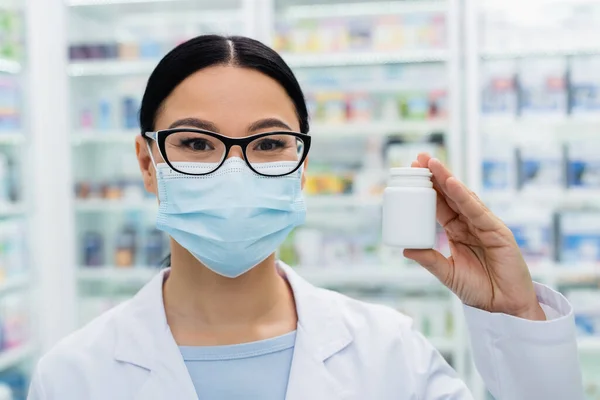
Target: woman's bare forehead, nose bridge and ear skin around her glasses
x,y
235,102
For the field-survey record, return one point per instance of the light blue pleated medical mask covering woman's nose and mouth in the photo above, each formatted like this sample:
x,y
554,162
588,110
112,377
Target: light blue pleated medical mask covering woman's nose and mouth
x,y
232,219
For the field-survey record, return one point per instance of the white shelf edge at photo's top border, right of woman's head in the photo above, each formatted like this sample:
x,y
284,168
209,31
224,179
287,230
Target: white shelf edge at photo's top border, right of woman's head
x,y
363,9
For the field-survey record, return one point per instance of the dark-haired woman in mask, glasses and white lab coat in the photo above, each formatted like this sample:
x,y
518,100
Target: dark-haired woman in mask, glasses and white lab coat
x,y
223,146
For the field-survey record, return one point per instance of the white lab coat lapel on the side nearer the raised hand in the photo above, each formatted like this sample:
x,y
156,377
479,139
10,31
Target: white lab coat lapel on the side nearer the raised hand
x,y
321,333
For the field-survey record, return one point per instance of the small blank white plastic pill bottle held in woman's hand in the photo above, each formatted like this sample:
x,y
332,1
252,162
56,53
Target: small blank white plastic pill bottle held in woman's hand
x,y
409,204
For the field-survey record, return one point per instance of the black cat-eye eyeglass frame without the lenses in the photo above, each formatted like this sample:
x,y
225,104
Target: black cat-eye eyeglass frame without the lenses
x,y
160,137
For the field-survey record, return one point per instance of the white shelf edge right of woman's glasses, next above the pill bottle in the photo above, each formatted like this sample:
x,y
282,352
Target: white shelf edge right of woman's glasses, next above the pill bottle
x,y
369,129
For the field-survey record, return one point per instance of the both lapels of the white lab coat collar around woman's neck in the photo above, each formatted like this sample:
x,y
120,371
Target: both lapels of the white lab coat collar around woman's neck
x,y
145,340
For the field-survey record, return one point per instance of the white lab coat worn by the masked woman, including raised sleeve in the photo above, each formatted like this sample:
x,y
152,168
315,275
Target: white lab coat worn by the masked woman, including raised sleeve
x,y
345,349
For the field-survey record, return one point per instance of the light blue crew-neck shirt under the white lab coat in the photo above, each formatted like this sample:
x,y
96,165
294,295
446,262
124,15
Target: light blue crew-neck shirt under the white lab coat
x,y
250,371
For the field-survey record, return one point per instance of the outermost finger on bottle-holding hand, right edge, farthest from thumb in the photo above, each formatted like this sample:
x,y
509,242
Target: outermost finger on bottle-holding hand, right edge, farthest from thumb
x,y
470,206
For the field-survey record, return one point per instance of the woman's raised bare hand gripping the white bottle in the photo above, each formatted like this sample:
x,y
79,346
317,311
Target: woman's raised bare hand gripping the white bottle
x,y
486,269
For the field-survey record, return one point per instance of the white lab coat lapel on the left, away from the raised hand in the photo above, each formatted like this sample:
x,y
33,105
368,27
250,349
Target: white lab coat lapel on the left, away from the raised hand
x,y
145,341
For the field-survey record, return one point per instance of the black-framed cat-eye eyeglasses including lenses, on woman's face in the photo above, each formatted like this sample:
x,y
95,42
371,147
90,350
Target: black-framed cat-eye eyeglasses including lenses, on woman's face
x,y
185,145
